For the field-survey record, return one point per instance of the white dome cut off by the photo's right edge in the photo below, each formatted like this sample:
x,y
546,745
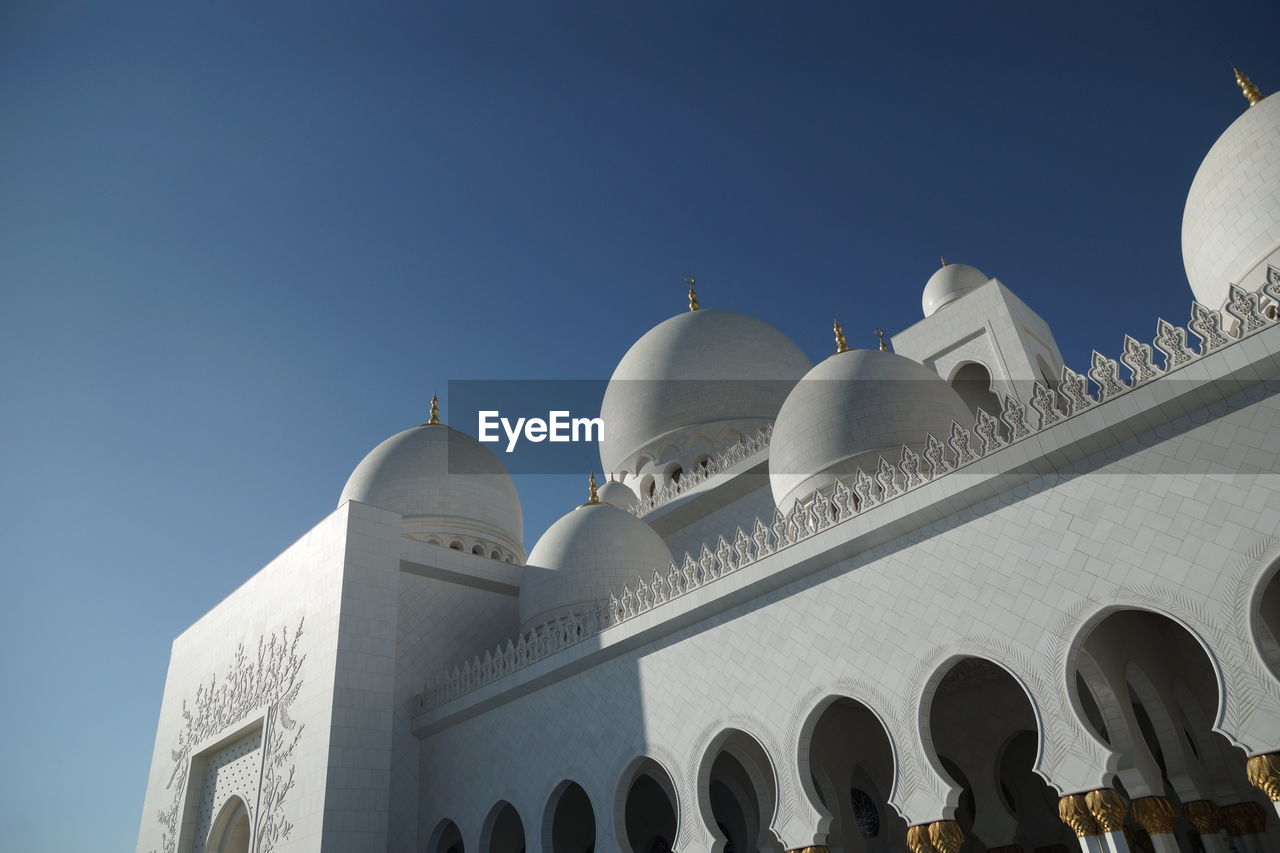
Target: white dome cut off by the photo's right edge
x,y
1232,222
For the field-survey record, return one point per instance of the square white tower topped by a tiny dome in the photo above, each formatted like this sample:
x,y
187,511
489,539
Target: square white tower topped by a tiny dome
x,y
981,339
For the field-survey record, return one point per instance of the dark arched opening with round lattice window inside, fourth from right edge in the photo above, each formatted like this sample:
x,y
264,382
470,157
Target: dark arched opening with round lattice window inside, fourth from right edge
x,y
851,761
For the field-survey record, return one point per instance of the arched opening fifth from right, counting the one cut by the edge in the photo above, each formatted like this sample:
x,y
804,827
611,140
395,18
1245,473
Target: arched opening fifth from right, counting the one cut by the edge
x,y
740,795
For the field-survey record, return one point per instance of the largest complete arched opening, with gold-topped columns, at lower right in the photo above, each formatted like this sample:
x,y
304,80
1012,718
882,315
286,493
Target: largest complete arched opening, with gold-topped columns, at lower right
x,y
1156,691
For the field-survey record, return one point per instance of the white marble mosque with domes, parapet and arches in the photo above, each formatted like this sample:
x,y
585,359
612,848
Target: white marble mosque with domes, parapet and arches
x,y
941,596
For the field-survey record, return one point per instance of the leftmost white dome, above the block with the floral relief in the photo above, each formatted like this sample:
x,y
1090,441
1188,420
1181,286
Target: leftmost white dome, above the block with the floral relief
x,y
447,486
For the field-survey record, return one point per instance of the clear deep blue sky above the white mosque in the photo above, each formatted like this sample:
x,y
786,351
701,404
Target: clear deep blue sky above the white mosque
x,y
243,243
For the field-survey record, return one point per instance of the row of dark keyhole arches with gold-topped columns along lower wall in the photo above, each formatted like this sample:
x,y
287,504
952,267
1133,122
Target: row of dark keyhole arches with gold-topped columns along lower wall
x,y
1142,683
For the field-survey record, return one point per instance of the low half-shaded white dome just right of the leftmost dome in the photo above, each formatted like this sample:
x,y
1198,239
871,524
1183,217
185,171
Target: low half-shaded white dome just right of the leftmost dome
x,y
583,558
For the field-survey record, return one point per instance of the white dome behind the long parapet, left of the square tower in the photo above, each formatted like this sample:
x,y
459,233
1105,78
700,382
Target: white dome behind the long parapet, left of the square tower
x,y
851,409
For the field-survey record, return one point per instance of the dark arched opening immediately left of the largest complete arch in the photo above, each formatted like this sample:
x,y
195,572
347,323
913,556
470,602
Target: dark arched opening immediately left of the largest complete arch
x,y
984,731
